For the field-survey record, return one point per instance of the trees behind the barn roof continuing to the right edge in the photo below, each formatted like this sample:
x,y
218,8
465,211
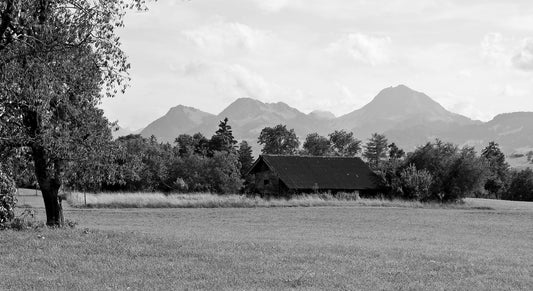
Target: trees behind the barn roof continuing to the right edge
x,y
436,171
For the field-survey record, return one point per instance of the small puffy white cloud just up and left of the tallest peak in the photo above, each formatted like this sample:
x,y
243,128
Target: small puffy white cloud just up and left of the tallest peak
x,y
363,48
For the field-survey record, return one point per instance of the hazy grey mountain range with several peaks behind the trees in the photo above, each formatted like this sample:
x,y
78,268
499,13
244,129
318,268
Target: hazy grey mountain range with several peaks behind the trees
x,y
407,117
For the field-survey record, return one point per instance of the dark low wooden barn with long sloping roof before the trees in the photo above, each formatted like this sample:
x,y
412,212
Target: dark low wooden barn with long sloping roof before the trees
x,y
279,175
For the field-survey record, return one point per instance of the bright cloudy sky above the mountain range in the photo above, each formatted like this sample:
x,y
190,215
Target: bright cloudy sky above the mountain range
x,y
474,57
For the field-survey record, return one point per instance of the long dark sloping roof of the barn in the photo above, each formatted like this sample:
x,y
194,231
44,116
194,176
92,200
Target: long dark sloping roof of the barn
x,y
307,172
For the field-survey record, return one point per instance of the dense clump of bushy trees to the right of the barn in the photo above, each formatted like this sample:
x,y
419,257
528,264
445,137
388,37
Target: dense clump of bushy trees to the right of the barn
x,y
443,171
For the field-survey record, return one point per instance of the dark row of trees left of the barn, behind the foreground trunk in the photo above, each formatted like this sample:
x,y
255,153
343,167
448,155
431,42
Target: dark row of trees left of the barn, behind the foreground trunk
x,y
193,163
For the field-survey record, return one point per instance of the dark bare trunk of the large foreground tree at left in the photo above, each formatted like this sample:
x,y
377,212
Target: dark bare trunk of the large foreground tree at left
x,y
49,177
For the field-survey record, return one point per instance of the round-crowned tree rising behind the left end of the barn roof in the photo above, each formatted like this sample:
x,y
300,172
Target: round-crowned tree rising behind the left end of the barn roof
x,y
278,140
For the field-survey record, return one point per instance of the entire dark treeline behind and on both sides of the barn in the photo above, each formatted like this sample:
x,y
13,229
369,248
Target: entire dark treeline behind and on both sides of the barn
x,y
436,171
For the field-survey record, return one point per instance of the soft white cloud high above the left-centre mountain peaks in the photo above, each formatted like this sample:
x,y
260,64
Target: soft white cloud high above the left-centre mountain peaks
x,y
222,37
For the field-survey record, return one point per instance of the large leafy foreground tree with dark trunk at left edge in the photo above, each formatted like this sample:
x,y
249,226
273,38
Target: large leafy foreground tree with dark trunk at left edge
x,y
58,58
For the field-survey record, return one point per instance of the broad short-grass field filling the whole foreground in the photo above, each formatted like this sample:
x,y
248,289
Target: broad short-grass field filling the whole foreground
x,y
342,248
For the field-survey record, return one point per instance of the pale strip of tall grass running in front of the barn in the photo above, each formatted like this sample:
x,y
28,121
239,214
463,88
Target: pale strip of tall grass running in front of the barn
x,y
207,200
